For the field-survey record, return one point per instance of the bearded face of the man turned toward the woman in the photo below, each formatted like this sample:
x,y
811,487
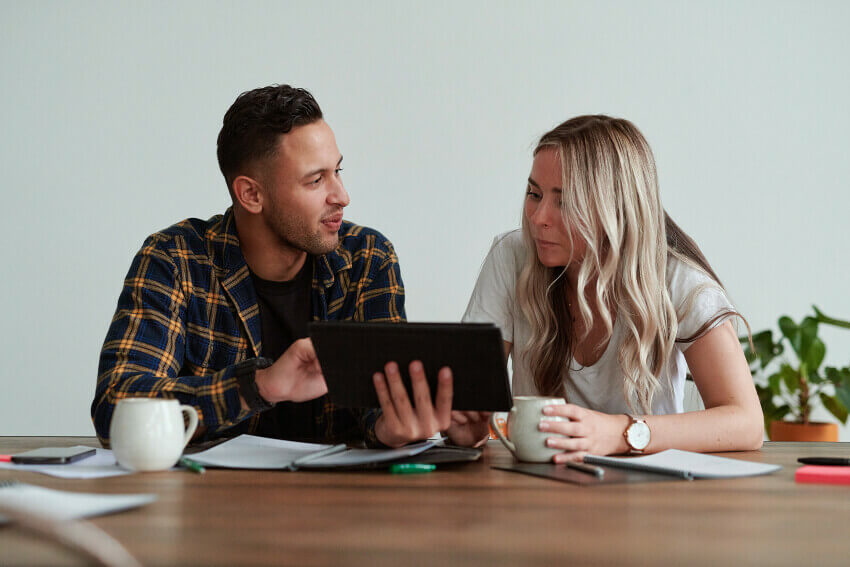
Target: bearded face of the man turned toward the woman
x,y
303,191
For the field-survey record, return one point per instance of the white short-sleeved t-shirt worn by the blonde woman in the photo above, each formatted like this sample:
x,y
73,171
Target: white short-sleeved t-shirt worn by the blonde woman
x,y
600,386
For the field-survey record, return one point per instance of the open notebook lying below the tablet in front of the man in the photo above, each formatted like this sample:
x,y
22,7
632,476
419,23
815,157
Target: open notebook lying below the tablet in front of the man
x,y
251,452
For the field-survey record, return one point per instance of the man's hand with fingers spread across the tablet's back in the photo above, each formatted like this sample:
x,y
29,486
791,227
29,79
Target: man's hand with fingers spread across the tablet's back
x,y
402,423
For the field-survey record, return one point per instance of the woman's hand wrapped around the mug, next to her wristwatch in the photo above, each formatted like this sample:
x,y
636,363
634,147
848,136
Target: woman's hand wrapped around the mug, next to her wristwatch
x,y
587,431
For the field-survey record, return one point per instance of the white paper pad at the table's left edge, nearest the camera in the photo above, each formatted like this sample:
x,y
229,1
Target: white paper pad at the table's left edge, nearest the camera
x,y
62,505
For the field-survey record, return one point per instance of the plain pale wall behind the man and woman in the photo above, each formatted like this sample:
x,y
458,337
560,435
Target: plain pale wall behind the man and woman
x,y
110,111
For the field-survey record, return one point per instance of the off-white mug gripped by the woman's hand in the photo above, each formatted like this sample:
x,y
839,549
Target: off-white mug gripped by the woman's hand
x,y
525,440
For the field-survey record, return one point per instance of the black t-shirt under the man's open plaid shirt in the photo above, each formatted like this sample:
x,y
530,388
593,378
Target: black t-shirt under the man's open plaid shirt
x,y
284,313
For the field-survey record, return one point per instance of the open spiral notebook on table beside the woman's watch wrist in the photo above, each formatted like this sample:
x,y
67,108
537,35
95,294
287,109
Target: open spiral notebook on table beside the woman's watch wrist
x,y
686,464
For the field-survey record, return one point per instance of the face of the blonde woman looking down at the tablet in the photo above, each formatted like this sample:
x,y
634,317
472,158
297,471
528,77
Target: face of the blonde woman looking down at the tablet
x,y
543,213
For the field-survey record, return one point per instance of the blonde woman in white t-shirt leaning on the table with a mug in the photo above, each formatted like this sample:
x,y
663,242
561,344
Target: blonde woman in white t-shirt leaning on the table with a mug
x,y
603,300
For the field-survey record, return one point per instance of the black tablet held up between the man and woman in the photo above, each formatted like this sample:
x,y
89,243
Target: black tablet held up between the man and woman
x,y
350,354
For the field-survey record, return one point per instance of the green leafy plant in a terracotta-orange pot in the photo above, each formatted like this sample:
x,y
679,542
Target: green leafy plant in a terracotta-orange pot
x,y
790,390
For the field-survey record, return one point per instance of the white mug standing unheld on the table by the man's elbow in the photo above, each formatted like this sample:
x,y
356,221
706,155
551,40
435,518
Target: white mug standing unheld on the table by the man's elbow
x,y
147,434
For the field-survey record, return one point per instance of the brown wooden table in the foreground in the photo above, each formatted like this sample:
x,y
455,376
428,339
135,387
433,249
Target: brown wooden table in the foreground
x,y
467,515
